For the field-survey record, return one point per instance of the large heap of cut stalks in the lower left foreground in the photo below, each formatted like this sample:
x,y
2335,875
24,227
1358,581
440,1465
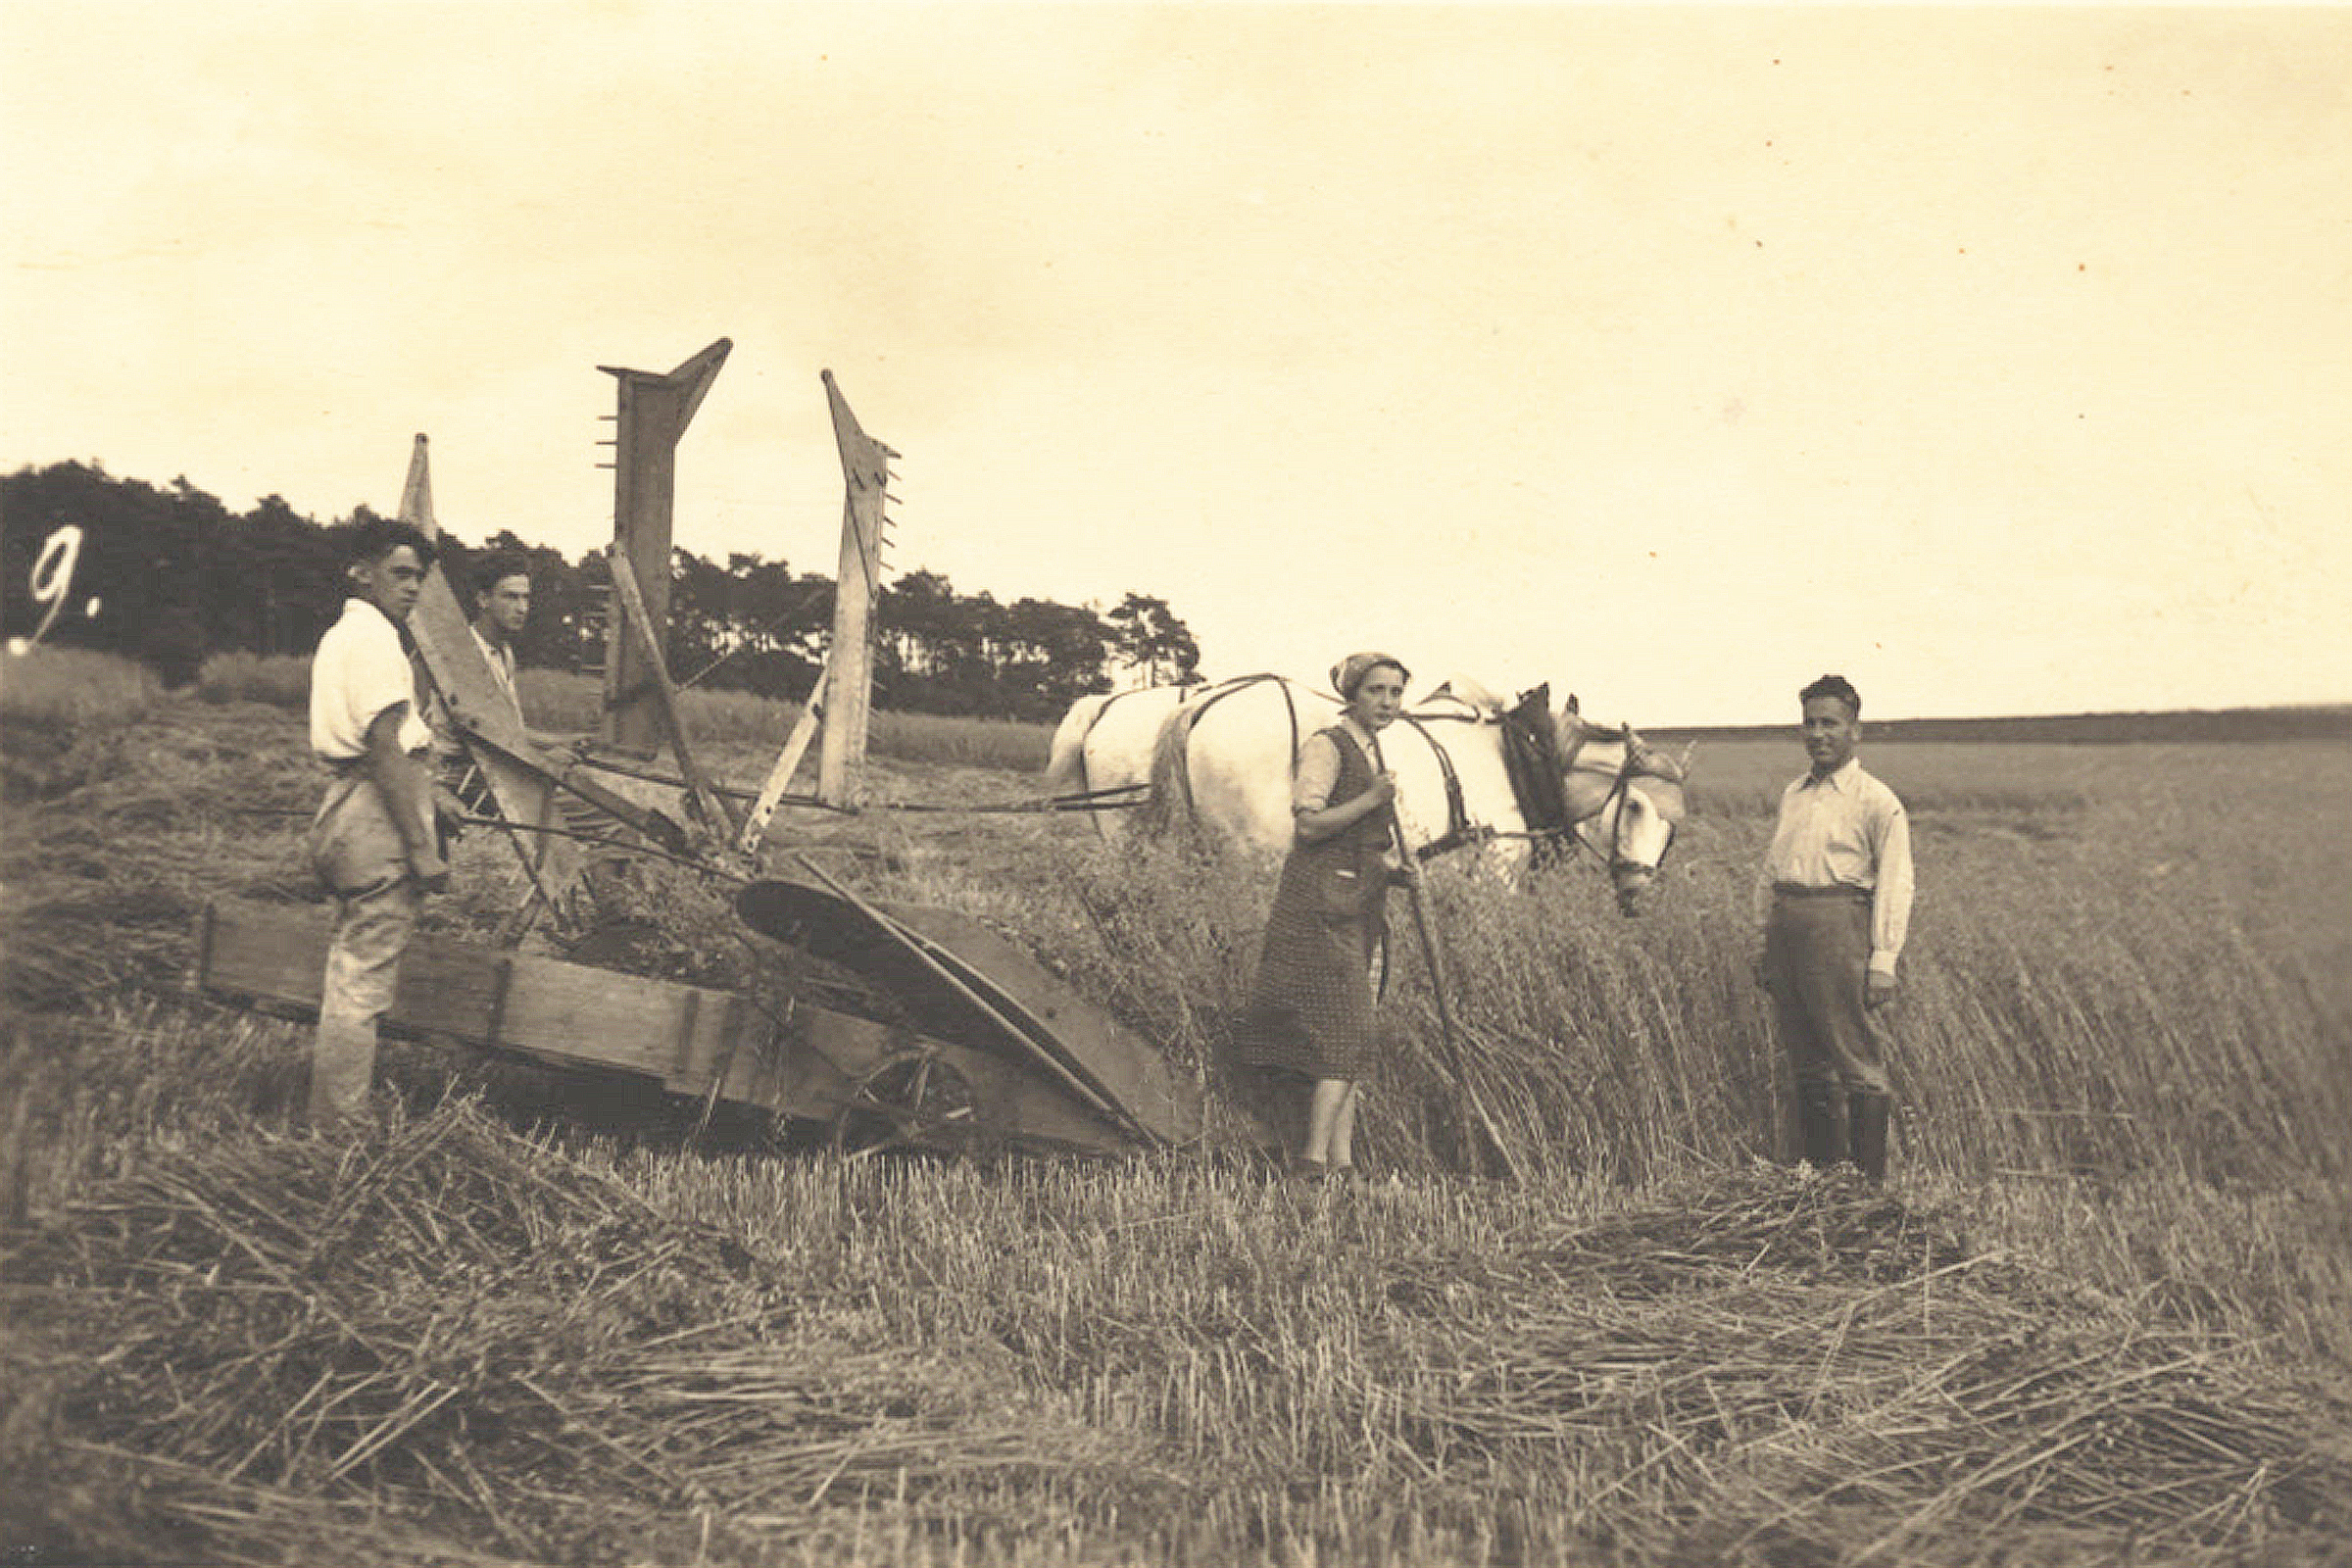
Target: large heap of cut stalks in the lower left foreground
x,y
443,1339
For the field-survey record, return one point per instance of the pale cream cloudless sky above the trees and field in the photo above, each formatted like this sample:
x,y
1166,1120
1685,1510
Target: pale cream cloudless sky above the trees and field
x,y
1998,359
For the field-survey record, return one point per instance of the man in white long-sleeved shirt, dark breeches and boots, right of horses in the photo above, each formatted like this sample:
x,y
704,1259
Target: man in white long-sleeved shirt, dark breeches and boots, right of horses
x,y
1836,902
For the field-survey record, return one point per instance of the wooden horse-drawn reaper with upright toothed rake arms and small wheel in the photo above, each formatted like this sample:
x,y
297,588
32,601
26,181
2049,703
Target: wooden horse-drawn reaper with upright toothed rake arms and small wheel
x,y
977,1045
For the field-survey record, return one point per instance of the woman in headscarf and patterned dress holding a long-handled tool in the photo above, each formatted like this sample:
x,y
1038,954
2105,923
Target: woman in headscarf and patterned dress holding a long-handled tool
x,y
1311,1000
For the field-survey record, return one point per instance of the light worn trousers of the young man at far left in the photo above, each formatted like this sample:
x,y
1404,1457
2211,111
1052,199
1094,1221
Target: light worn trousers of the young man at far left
x,y
361,859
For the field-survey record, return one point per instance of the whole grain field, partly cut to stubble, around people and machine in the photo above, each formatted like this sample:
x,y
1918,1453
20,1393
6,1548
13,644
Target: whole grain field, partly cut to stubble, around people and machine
x,y
2099,1315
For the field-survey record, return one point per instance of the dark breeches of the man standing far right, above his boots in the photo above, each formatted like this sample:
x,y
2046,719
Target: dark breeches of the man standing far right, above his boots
x,y
1817,963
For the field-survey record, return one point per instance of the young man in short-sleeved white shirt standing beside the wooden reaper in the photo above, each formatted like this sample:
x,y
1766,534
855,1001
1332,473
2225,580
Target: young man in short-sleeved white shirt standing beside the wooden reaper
x,y
375,840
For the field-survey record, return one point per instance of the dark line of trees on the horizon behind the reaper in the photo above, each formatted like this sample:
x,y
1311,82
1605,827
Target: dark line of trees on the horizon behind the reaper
x,y
173,577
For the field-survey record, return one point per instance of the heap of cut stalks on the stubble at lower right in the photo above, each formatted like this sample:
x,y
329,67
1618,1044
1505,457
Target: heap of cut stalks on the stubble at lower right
x,y
1800,1369
